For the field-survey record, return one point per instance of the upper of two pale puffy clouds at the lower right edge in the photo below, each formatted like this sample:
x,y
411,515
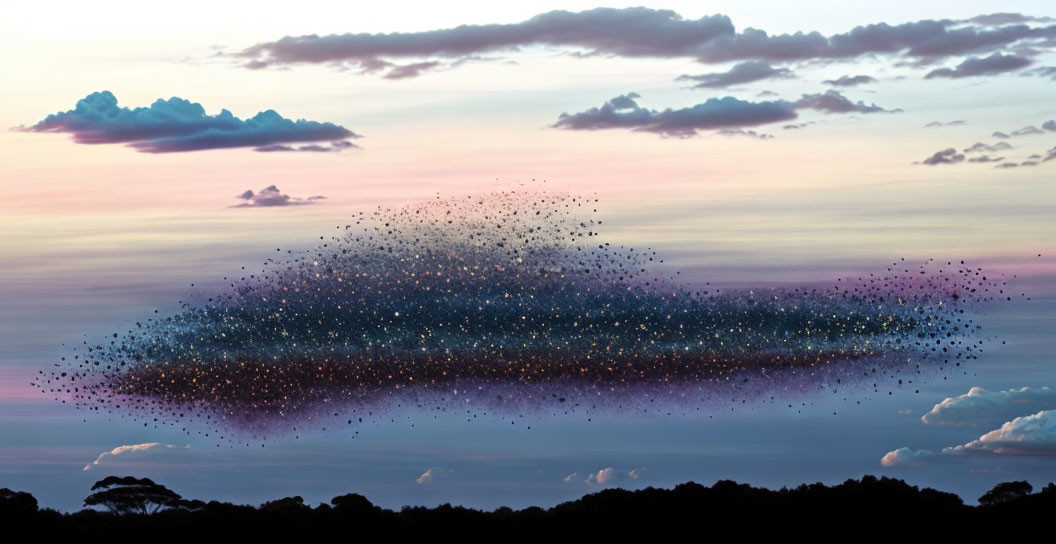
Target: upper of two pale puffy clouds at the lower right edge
x,y
982,407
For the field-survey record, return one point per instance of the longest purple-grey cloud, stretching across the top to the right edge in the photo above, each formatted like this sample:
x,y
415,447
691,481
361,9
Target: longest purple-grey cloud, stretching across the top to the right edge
x,y
643,32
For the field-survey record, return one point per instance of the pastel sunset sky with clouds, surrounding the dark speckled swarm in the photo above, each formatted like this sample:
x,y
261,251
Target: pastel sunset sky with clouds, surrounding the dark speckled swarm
x,y
842,140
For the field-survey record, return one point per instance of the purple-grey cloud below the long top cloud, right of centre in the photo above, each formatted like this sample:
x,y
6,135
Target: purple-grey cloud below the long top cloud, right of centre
x,y
624,112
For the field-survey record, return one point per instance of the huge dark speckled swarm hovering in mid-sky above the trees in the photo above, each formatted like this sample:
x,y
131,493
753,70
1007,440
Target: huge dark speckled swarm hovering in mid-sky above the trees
x,y
514,305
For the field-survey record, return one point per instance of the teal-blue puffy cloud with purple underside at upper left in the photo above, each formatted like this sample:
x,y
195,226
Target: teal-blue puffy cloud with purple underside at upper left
x,y
178,125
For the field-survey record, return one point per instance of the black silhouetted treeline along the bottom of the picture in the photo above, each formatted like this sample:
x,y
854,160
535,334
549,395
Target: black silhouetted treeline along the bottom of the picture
x,y
870,508
